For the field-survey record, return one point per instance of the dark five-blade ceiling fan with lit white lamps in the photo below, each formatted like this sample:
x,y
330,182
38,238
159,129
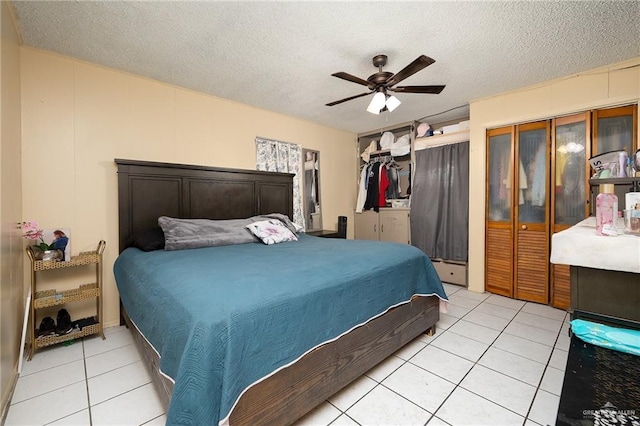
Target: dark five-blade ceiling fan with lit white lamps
x,y
383,81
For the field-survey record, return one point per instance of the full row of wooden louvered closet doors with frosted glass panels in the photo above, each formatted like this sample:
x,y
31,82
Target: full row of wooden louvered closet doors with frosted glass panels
x,y
538,184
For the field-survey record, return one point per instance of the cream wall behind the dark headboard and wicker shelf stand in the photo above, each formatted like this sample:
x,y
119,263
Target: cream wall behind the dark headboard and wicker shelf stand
x,y
78,117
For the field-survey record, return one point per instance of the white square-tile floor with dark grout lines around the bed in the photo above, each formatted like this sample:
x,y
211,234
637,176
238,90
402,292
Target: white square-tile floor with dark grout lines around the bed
x,y
492,361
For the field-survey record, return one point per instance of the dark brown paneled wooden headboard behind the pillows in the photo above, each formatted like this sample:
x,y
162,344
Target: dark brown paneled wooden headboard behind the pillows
x,y
147,190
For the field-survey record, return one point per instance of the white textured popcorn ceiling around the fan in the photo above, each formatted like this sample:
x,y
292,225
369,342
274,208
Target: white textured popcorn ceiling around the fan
x,y
280,55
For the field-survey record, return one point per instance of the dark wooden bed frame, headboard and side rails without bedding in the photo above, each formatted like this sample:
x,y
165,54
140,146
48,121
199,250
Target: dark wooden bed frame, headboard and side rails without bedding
x,y
147,190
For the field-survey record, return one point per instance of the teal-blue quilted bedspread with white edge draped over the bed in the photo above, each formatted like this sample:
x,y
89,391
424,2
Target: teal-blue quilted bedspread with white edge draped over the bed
x,y
222,318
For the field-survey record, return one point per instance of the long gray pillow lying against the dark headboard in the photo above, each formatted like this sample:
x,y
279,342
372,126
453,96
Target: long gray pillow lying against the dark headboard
x,y
183,234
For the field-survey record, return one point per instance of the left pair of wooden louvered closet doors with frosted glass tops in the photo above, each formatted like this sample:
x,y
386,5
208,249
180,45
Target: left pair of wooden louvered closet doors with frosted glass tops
x,y
517,238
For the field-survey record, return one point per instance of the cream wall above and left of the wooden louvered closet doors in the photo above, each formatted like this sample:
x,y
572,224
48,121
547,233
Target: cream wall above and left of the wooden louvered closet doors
x,y
603,87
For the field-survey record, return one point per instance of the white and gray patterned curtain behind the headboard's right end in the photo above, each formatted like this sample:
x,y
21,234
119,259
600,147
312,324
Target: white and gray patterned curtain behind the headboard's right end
x,y
276,156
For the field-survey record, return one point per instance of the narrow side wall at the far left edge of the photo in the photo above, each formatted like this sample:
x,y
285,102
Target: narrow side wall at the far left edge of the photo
x,y
11,243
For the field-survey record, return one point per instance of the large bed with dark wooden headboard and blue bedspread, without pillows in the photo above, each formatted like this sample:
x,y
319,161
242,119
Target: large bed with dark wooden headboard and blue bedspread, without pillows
x,y
261,353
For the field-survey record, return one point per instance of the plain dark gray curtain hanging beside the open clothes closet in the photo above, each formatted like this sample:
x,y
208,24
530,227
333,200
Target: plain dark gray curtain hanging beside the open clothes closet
x,y
440,202
